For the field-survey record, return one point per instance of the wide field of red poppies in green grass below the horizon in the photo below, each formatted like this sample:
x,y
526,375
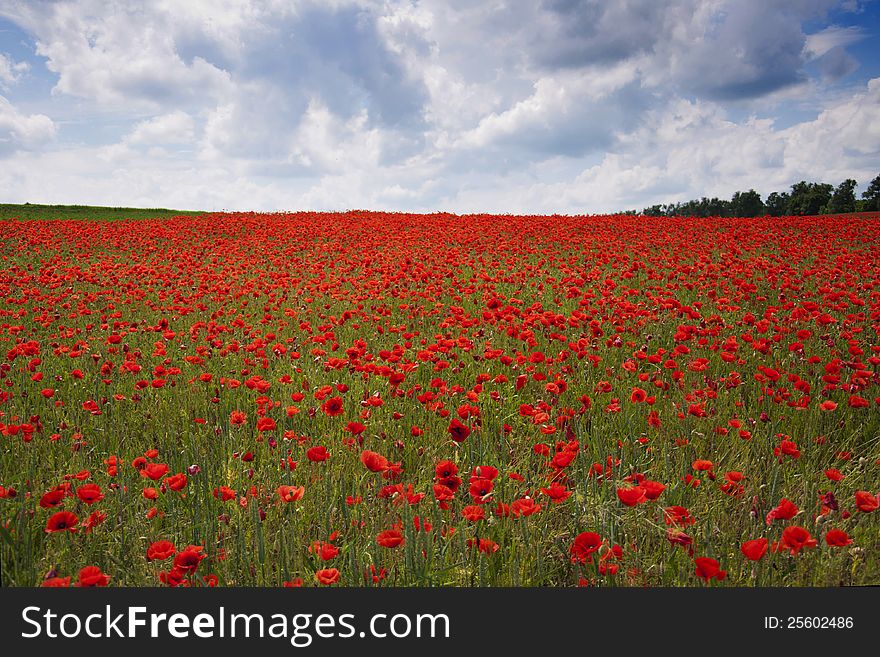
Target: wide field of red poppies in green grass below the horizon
x,y
372,399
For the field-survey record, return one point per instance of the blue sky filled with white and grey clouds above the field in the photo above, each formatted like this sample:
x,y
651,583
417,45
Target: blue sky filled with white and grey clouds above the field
x,y
569,106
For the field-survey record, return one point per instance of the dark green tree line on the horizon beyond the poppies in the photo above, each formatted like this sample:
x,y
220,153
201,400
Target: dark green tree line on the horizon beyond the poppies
x,y
805,198
